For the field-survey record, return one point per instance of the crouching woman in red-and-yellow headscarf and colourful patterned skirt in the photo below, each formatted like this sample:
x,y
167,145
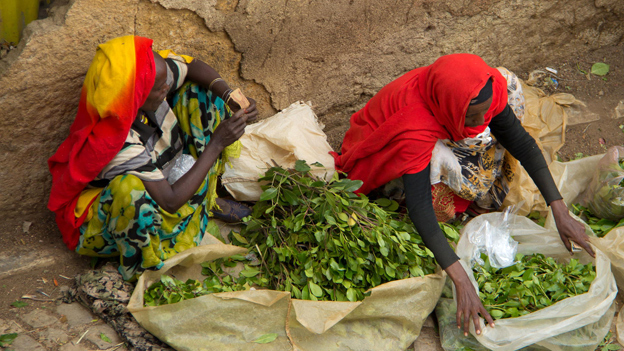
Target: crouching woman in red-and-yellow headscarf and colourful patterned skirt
x,y
138,113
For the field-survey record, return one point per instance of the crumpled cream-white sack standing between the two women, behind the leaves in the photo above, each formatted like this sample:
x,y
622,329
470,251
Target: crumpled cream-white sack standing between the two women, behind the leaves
x,y
292,134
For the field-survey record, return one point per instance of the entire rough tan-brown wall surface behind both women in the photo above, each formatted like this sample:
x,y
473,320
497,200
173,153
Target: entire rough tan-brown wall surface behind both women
x,y
334,53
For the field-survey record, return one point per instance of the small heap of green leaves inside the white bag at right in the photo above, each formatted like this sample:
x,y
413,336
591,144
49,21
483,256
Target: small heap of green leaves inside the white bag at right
x,y
531,284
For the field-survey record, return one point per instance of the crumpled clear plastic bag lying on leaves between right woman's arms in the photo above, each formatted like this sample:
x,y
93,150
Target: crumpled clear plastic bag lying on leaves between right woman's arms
x,y
493,238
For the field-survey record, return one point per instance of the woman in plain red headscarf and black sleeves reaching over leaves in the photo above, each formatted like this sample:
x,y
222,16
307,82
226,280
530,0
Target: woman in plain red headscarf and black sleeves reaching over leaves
x,y
456,98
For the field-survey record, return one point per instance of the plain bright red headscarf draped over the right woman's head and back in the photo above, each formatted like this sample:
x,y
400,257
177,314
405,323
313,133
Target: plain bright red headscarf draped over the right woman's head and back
x,y
395,133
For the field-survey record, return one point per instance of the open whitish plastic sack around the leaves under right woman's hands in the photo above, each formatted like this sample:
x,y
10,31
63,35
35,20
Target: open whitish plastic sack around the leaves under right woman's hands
x,y
575,323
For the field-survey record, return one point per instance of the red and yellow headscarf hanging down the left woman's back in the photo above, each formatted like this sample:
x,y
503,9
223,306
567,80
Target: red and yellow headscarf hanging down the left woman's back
x,y
117,84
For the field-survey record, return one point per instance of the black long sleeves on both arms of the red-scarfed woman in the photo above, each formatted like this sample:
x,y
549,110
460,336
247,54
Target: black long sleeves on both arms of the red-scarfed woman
x,y
520,144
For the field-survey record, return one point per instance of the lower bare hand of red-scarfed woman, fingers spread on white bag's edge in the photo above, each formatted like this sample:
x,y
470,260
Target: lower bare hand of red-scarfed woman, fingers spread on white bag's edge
x,y
469,305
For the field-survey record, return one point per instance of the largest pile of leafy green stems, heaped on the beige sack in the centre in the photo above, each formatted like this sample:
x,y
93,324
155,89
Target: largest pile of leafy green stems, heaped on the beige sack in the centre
x,y
317,240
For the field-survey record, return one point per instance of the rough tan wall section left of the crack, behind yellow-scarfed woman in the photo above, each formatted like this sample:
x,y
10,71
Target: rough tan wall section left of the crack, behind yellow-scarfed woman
x,y
40,85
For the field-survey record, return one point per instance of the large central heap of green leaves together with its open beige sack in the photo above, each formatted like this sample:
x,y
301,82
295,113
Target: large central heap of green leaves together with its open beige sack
x,y
386,317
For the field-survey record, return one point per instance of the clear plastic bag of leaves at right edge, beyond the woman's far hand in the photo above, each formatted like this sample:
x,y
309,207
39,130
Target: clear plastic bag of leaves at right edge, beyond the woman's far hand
x,y
605,194
